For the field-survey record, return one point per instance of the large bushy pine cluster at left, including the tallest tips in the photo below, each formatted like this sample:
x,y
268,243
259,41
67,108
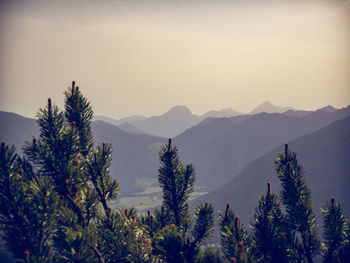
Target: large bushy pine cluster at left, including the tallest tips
x,y
58,210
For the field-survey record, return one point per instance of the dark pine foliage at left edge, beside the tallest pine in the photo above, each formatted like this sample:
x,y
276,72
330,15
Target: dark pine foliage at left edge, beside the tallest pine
x,y
26,208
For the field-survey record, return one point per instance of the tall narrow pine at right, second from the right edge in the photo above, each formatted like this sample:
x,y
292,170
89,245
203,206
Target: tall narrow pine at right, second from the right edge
x,y
296,197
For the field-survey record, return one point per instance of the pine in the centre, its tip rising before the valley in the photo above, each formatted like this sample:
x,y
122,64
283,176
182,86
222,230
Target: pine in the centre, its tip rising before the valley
x,y
171,226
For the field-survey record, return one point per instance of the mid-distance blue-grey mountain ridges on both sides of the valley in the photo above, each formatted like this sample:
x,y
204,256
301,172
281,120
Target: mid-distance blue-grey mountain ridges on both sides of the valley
x,y
219,148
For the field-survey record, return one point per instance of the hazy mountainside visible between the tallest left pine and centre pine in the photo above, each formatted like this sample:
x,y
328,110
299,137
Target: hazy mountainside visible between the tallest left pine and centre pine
x,y
135,156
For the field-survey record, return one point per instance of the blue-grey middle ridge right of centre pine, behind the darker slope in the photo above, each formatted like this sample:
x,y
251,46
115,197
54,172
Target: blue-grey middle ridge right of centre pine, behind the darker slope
x,y
220,148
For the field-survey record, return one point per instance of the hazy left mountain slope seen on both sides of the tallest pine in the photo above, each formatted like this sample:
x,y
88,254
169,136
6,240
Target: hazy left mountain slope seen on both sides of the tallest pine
x,y
135,156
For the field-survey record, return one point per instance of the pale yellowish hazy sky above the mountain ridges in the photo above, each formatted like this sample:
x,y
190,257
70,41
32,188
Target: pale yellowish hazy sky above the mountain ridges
x,y
142,57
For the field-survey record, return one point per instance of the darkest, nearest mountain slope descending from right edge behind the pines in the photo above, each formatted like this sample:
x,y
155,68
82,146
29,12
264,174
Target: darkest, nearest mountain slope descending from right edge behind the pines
x,y
324,157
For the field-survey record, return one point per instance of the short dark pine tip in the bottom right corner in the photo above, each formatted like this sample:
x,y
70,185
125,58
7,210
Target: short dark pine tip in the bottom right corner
x,y
336,247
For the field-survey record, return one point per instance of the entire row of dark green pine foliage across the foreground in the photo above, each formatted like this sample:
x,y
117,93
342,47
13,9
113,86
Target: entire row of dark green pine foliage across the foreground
x,y
54,206
